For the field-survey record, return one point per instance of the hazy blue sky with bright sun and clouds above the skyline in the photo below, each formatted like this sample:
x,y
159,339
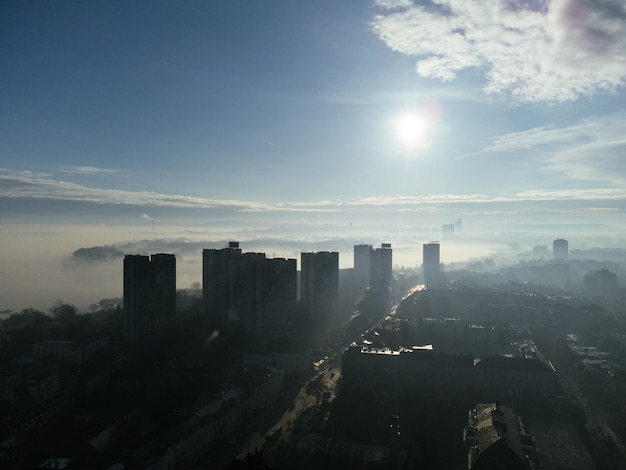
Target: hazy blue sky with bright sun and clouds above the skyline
x,y
299,126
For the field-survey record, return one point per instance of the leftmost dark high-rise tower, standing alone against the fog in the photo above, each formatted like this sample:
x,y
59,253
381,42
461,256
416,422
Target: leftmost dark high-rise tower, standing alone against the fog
x,y
149,292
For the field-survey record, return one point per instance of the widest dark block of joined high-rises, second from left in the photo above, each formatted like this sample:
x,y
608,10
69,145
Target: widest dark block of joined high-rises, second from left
x,y
249,288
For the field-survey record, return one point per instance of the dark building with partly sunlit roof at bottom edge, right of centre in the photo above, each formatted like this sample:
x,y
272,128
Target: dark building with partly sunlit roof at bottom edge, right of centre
x,y
495,438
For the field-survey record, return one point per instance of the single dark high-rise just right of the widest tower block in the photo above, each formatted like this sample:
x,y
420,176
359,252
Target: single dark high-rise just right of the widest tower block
x,y
319,284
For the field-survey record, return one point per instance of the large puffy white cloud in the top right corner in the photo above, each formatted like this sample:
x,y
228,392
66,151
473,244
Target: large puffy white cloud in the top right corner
x,y
529,51
